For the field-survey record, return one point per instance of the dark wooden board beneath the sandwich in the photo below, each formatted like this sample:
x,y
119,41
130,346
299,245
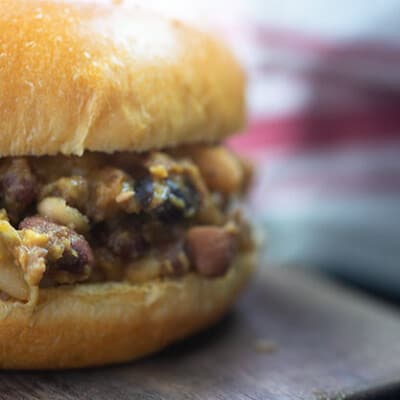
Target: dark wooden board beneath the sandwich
x,y
291,336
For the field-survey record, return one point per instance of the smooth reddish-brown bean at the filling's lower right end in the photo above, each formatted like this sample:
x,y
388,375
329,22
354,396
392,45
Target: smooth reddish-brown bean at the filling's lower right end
x,y
210,249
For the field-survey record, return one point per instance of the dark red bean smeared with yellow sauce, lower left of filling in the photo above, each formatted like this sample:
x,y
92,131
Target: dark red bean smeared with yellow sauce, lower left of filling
x,y
69,256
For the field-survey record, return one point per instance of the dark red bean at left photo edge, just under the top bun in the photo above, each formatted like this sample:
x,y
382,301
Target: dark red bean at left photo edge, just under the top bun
x,y
18,188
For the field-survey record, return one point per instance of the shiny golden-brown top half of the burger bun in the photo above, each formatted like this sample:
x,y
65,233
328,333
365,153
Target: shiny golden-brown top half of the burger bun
x,y
78,76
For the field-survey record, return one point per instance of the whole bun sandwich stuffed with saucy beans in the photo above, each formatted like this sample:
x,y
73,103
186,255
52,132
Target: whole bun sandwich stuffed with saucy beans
x,y
121,228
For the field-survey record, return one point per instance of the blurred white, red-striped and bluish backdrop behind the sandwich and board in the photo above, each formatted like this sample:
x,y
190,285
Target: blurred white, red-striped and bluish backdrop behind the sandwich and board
x,y
323,129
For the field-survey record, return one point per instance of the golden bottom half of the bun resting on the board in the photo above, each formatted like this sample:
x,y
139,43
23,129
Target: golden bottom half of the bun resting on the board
x,y
97,324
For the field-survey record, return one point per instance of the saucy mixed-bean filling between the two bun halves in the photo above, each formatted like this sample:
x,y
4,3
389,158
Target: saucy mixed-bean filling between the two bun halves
x,y
124,216
